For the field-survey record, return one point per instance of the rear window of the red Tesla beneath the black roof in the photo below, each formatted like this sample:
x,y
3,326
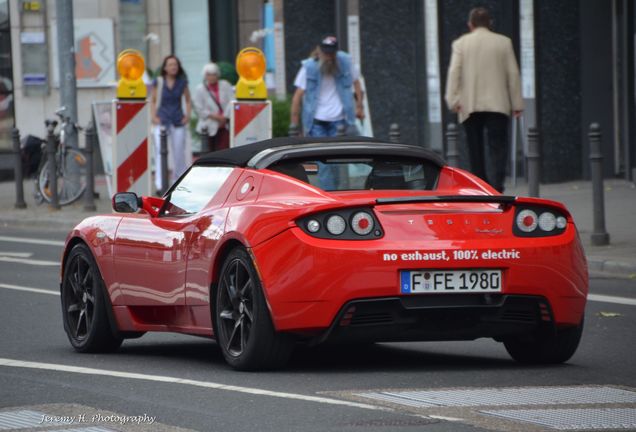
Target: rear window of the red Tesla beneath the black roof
x,y
373,173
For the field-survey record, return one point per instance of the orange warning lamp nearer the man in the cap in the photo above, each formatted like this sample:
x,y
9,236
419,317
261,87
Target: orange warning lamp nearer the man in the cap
x,y
250,65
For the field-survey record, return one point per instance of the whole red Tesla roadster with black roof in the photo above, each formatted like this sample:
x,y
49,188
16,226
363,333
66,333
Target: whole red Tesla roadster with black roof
x,y
300,240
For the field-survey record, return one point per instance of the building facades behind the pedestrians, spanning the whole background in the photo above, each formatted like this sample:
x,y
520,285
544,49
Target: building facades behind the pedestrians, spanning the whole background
x,y
577,61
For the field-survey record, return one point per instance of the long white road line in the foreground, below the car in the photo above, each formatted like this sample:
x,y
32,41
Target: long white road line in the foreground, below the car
x,y
167,379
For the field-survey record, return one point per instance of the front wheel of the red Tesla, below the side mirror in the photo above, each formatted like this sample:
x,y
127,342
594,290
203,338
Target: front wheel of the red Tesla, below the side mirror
x,y
85,305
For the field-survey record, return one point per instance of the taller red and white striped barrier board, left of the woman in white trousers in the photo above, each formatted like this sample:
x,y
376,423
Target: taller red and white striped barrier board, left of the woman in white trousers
x,y
131,147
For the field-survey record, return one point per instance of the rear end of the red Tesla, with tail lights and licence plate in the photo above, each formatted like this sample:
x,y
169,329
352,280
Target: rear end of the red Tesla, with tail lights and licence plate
x,y
448,259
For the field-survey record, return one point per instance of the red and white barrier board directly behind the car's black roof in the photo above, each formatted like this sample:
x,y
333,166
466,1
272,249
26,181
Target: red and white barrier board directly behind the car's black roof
x,y
251,121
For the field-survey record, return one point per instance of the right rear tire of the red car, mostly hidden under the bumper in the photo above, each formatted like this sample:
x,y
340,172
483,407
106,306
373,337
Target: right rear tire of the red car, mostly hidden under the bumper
x,y
554,347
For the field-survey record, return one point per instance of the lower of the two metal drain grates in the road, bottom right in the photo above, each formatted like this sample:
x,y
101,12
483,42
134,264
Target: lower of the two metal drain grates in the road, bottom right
x,y
574,418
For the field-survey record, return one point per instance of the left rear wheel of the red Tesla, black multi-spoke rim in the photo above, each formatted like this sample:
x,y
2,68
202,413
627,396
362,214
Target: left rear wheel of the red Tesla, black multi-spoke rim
x,y
243,326
